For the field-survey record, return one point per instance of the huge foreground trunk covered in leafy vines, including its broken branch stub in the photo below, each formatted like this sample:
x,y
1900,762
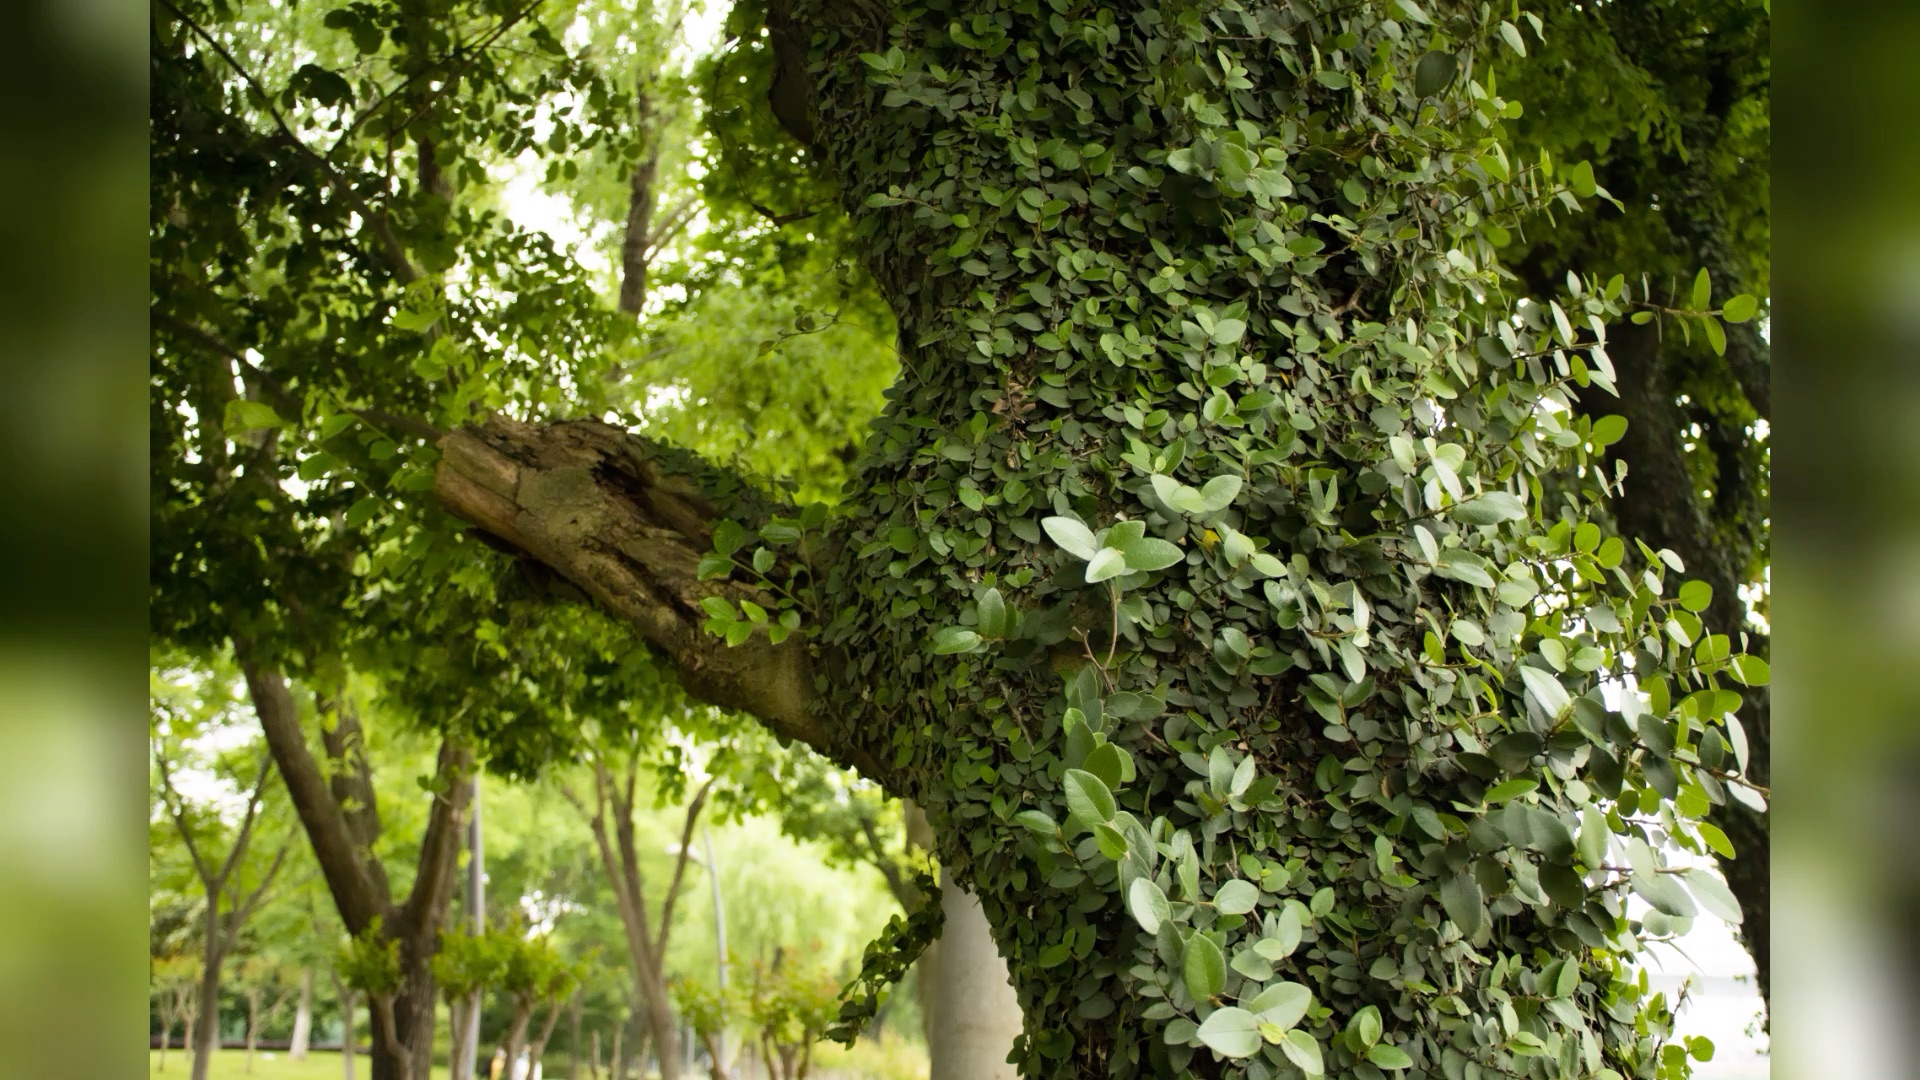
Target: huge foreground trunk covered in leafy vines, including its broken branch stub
x,y
1193,579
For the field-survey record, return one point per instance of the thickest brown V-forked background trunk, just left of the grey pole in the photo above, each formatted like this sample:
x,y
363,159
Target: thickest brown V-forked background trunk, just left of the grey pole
x,y
341,816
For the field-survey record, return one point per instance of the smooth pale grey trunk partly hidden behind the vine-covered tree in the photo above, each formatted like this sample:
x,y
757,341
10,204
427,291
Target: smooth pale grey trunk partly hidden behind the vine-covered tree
x,y
976,1014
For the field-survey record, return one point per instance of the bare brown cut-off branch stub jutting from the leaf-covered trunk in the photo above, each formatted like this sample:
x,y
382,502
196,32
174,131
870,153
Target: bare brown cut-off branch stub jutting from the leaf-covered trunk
x,y
629,522
